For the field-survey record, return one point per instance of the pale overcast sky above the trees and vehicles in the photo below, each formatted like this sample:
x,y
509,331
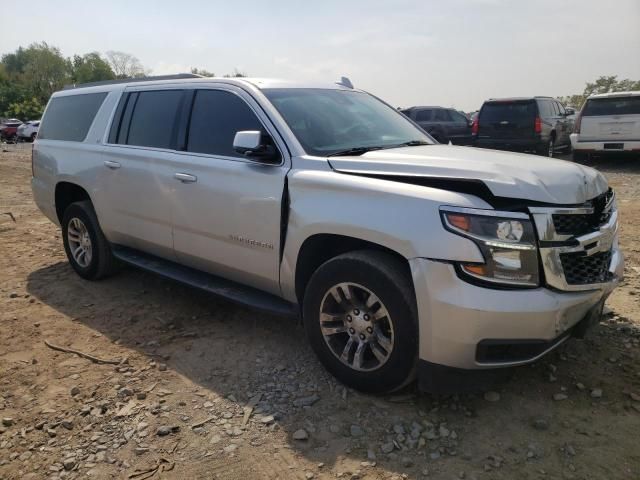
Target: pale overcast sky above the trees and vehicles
x,y
450,53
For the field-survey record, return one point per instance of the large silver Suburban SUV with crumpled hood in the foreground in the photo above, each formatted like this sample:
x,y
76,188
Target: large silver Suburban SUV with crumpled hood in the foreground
x,y
403,257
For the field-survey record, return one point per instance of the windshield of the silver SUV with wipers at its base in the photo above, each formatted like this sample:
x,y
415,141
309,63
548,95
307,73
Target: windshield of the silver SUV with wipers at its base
x,y
327,121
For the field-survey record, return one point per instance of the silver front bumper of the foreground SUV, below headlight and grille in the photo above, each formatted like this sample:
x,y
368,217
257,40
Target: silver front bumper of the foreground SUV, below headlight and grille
x,y
456,318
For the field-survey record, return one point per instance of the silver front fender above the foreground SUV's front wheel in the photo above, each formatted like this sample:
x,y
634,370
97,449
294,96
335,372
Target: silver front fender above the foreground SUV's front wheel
x,y
398,216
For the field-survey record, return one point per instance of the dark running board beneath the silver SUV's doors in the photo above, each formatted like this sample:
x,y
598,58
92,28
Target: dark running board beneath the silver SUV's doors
x,y
218,286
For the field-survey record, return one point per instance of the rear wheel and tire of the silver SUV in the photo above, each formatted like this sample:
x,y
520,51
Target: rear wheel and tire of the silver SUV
x,y
87,249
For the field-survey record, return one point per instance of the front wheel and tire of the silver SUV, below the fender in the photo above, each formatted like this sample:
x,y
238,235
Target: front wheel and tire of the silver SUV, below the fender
x,y
360,316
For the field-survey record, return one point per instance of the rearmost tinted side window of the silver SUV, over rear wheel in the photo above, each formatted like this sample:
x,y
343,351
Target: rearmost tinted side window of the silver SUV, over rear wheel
x,y
70,117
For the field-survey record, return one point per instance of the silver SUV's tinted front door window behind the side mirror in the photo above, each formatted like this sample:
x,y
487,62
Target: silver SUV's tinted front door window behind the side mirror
x,y
216,117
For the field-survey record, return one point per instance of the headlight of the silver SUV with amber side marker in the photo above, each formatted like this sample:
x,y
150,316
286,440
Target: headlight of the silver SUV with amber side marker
x,y
506,240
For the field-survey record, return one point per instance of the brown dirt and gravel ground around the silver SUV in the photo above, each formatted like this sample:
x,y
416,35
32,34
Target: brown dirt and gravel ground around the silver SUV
x,y
178,403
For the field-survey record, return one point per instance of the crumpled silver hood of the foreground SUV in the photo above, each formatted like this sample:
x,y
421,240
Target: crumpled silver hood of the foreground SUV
x,y
506,174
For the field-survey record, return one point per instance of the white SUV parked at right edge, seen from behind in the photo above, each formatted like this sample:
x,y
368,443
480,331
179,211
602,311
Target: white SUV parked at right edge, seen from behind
x,y
608,122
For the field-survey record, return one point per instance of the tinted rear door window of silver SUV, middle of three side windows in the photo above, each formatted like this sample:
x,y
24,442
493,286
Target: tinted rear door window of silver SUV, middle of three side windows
x,y
153,120
